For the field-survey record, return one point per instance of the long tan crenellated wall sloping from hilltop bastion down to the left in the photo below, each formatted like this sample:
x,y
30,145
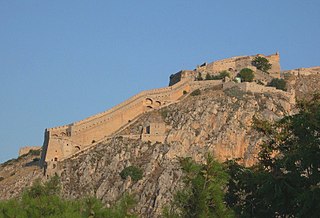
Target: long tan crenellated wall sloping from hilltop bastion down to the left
x,y
63,141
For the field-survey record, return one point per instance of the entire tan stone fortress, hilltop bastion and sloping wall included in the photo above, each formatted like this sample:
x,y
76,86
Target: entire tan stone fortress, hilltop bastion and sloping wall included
x,y
64,141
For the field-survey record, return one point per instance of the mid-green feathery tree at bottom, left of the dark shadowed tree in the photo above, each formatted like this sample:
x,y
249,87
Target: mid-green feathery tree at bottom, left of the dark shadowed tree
x,y
203,195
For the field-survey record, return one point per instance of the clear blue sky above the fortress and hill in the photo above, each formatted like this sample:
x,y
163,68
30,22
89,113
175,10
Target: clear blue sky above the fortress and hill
x,y
62,61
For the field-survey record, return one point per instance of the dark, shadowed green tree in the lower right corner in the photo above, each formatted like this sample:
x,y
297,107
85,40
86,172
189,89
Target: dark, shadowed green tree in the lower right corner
x,y
285,182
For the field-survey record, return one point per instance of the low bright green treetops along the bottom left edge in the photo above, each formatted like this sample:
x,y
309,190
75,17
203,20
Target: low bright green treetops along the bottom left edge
x,y
43,200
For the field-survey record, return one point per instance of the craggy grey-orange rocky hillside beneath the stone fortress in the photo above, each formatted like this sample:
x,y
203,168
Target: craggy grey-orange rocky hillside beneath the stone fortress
x,y
213,121
